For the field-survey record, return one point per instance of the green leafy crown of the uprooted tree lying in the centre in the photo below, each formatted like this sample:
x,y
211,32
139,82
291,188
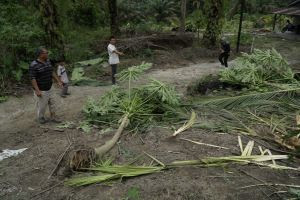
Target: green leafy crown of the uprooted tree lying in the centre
x,y
143,104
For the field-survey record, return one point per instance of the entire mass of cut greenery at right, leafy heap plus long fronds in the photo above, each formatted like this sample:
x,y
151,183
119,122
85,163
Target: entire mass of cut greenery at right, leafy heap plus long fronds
x,y
267,110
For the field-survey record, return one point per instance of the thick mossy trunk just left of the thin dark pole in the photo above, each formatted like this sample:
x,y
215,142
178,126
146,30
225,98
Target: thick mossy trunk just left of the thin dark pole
x,y
214,15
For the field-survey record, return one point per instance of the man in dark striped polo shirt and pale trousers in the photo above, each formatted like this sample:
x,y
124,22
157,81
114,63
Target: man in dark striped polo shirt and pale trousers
x,y
41,73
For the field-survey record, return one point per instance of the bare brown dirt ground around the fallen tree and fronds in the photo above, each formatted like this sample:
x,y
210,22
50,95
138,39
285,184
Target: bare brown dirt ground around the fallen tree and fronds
x,y
26,176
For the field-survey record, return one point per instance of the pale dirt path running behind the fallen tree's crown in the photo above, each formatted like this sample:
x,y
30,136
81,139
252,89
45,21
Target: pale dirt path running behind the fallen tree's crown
x,y
18,113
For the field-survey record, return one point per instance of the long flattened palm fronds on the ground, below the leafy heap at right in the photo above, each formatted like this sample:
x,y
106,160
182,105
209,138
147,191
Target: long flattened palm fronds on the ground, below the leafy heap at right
x,y
269,115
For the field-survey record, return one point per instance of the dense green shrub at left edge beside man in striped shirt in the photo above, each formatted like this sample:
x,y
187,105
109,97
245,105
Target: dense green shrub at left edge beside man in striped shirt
x,y
20,35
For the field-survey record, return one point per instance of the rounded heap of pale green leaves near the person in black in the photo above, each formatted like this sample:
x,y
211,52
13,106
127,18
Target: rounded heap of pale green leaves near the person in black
x,y
258,69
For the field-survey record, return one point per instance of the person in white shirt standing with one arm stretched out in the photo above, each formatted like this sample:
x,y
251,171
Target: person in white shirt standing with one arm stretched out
x,y
113,57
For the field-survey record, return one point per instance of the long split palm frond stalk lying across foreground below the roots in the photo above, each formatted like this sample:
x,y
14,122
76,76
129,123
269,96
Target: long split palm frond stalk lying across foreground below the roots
x,y
122,171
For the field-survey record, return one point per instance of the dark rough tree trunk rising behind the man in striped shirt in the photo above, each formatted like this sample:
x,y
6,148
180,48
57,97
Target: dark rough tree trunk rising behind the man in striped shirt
x,y
50,23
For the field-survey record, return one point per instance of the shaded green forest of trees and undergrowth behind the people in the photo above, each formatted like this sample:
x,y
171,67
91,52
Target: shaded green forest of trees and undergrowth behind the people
x,y
71,29
